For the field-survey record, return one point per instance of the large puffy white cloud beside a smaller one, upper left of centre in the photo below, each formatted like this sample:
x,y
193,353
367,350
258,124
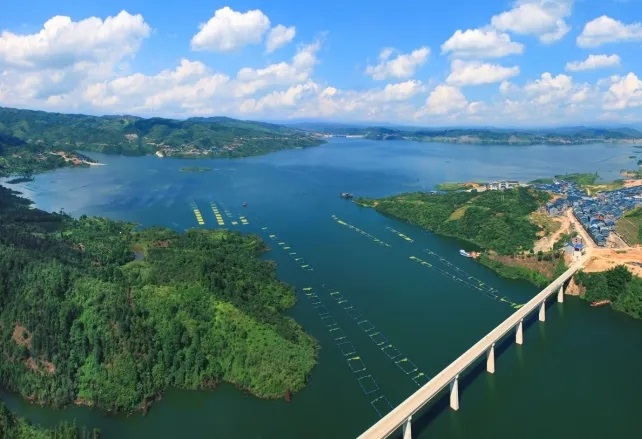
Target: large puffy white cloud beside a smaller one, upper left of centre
x,y
229,29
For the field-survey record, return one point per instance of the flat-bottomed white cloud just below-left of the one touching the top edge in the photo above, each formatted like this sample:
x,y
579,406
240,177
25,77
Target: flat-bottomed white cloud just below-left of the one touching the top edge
x,y
481,43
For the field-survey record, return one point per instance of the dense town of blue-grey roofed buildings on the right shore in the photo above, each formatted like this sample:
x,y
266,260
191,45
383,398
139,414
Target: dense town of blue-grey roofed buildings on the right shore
x,y
596,214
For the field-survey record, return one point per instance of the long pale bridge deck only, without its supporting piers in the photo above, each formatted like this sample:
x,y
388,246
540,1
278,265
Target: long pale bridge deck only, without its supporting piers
x,y
395,419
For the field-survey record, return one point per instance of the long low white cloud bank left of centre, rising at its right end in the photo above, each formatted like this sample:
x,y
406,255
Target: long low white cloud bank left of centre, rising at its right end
x,y
193,88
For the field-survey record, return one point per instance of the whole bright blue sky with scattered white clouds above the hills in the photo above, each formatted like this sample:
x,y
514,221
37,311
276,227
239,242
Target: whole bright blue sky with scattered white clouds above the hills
x,y
469,62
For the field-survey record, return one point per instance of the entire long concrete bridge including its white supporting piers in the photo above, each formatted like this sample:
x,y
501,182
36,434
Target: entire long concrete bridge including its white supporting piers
x,y
401,415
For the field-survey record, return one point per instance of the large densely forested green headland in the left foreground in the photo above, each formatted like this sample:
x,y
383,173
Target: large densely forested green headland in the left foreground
x,y
85,319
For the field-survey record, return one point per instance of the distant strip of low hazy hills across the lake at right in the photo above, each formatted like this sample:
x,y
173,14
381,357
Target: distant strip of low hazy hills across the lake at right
x,y
556,136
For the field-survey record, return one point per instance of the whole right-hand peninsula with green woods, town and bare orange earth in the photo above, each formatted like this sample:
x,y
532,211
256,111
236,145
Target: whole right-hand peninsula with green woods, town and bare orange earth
x,y
533,231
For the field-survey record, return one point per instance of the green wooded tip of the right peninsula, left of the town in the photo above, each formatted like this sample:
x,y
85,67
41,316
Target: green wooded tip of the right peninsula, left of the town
x,y
493,220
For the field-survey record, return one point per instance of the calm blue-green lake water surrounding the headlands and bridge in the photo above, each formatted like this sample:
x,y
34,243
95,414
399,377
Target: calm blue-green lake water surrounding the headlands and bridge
x,y
576,375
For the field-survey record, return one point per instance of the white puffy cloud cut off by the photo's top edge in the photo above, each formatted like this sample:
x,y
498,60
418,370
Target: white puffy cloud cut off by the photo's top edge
x,y
543,18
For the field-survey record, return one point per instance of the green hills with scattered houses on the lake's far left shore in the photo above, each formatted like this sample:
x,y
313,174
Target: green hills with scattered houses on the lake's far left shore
x,y
38,132
